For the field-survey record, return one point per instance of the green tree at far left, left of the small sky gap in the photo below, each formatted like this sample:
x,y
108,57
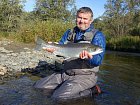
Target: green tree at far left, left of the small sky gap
x,y
10,13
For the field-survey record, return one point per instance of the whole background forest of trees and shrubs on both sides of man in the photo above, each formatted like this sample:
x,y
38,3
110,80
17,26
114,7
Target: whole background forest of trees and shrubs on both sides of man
x,y
51,18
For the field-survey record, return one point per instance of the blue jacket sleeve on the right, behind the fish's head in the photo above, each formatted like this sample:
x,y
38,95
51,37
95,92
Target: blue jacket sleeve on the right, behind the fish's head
x,y
99,39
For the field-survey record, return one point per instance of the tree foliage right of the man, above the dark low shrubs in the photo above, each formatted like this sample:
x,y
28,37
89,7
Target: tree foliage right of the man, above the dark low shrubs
x,y
122,17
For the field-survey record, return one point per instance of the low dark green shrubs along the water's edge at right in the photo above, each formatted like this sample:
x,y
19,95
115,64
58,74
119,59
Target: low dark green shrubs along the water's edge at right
x,y
125,43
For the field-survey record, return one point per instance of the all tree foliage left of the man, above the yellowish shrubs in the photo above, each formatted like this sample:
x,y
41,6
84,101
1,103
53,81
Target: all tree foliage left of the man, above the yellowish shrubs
x,y
13,17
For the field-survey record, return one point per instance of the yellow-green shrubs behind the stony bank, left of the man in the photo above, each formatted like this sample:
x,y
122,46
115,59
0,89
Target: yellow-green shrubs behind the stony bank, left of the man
x,y
50,30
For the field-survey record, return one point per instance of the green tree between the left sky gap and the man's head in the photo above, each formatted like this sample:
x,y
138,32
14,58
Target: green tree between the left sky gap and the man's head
x,y
58,9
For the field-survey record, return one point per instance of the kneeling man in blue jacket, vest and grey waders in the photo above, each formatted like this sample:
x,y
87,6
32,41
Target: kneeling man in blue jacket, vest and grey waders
x,y
79,75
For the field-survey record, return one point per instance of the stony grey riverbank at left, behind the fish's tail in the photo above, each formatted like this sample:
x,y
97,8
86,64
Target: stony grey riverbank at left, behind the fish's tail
x,y
19,57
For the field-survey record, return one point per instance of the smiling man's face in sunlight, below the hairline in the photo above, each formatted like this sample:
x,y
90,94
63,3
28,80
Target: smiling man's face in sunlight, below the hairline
x,y
83,21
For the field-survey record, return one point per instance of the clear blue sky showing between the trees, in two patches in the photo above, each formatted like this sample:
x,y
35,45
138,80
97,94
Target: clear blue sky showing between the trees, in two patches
x,y
97,6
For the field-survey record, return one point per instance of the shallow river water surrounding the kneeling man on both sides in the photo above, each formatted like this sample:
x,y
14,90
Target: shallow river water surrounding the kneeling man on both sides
x,y
119,79
